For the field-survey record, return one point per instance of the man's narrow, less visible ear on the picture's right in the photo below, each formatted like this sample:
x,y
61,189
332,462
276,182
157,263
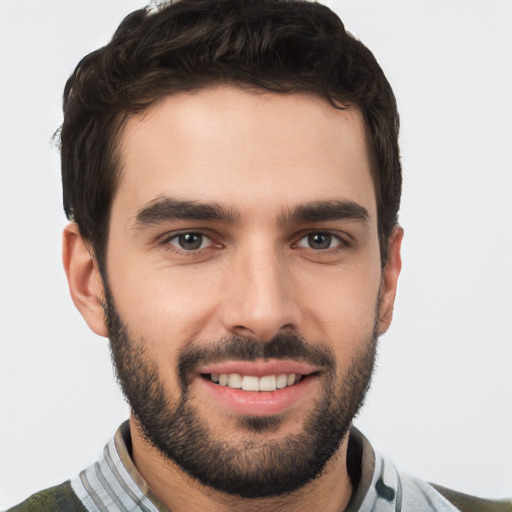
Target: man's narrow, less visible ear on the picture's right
x,y
390,275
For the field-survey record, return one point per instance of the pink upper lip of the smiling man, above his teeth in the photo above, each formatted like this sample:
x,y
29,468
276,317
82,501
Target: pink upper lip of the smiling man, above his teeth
x,y
259,368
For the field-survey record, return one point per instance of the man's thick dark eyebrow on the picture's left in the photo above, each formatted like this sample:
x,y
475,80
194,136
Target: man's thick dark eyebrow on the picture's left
x,y
166,209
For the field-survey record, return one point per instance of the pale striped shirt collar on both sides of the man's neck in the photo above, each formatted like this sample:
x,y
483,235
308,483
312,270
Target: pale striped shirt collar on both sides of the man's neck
x,y
113,484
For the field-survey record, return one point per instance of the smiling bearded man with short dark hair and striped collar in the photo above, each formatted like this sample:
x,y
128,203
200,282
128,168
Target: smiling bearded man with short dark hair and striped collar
x,y
231,171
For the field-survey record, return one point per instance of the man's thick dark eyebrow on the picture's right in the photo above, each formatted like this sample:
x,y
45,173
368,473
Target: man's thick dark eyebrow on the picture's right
x,y
320,211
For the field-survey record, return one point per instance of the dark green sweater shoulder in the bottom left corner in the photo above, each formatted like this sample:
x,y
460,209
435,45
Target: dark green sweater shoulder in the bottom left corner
x,y
58,498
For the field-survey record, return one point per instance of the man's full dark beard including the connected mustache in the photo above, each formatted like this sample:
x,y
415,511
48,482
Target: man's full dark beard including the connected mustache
x,y
256,466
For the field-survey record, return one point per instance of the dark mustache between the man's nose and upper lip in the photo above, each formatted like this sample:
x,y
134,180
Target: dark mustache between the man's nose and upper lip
x,y
240,348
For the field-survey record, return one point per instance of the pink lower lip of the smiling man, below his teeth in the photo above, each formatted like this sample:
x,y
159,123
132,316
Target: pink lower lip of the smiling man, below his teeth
x,y
259,403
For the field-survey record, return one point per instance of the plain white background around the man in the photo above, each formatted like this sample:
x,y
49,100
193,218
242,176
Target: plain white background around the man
x,y
440,404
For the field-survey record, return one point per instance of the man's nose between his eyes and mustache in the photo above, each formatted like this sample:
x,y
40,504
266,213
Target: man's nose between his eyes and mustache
x,y
258,297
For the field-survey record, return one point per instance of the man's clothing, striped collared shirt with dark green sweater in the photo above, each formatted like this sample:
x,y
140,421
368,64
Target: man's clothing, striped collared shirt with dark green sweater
x,y
113,484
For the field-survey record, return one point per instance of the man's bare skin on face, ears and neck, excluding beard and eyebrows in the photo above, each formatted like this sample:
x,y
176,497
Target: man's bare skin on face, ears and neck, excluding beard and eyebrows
x,y
259,156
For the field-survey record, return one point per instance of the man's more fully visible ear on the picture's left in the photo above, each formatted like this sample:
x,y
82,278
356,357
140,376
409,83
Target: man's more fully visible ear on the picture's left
x,y
85,284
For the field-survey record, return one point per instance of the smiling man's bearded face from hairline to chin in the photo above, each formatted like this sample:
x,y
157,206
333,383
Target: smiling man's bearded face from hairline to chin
x,y
243,247
